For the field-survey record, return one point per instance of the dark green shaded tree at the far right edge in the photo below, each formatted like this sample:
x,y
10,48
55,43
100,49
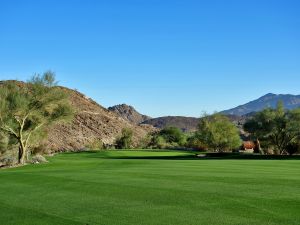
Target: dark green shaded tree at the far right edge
x,y
275,127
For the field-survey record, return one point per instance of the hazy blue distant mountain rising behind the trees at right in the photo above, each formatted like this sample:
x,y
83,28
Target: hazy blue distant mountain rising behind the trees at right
x,y
267,101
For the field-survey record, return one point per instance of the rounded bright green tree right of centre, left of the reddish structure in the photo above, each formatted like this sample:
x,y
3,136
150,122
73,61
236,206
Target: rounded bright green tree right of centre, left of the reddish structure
x,y
218,133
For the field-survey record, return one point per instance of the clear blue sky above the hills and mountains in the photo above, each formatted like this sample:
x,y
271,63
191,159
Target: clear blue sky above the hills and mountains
x,y
165,57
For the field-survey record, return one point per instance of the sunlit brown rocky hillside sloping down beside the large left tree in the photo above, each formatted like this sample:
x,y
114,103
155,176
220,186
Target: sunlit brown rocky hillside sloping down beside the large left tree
x,y
92,122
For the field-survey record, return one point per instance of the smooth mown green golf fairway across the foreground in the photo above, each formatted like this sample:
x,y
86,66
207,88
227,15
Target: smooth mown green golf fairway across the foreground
x,y
150,188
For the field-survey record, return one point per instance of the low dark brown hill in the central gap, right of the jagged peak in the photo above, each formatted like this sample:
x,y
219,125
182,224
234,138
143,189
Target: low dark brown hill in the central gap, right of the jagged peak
x,y
186,124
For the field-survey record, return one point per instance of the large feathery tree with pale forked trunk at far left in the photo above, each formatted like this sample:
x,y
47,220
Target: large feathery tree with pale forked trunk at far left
x,y
27,109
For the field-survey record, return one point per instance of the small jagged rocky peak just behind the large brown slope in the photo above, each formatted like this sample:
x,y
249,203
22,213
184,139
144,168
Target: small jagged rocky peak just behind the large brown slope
x,y
129,113
